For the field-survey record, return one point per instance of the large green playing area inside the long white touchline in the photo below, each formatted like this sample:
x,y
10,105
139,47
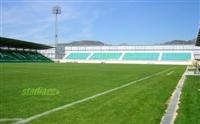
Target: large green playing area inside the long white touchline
x,y
74,81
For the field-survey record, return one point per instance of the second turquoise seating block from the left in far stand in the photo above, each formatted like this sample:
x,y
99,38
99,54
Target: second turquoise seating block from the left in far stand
x,y
105,56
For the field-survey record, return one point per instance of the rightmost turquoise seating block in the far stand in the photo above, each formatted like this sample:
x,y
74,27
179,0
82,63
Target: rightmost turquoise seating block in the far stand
x,y
176,56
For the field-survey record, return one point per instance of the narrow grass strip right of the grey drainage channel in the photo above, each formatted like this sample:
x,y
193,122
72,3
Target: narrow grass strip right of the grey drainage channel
x,y
189,111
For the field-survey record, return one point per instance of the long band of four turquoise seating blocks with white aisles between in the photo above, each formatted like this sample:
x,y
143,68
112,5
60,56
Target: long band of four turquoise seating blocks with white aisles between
x,y
130,56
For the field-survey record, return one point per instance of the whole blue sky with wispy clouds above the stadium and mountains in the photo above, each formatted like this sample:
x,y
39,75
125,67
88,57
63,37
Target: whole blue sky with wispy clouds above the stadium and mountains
x,y
110,21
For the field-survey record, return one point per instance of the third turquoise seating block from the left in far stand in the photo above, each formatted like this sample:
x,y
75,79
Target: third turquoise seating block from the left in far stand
x,y
141,56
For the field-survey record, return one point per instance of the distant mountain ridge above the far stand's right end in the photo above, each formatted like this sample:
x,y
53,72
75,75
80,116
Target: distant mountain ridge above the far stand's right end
x,y
179,42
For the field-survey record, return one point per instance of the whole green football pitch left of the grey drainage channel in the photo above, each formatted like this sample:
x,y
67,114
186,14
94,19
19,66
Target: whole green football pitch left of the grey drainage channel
x,y
86,93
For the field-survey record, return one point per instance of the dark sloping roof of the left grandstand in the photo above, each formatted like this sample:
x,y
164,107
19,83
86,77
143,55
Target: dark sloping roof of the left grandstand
x,y
14,43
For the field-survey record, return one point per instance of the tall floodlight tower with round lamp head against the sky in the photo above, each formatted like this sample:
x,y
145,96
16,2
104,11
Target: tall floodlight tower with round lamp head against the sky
x,y
56,11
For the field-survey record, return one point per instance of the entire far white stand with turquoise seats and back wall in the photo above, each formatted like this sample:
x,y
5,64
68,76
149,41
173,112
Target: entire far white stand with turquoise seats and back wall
x,y
141,54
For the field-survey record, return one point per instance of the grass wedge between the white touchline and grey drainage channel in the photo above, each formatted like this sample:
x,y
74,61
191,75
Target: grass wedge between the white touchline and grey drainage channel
x,y
141,103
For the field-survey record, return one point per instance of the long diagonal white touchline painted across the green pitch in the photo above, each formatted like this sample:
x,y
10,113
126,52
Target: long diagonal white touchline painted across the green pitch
x,y
86,99
